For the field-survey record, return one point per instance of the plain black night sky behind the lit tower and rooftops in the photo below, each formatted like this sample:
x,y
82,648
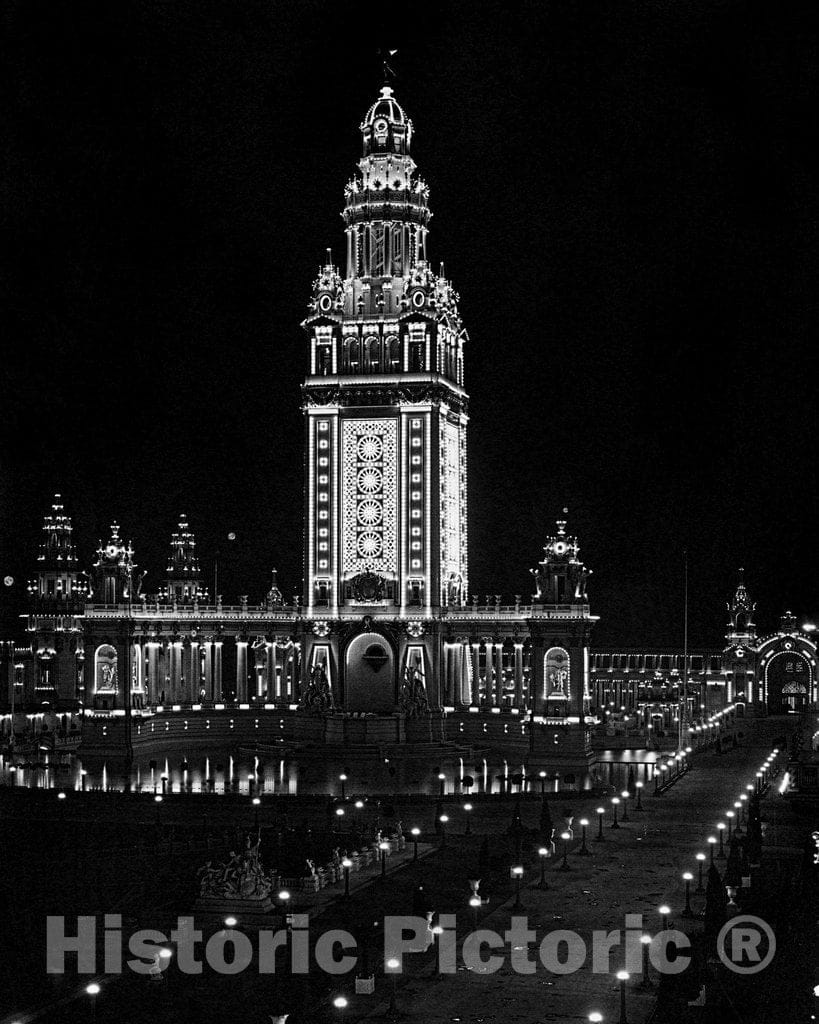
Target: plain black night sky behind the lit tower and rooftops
x,y
625,196
